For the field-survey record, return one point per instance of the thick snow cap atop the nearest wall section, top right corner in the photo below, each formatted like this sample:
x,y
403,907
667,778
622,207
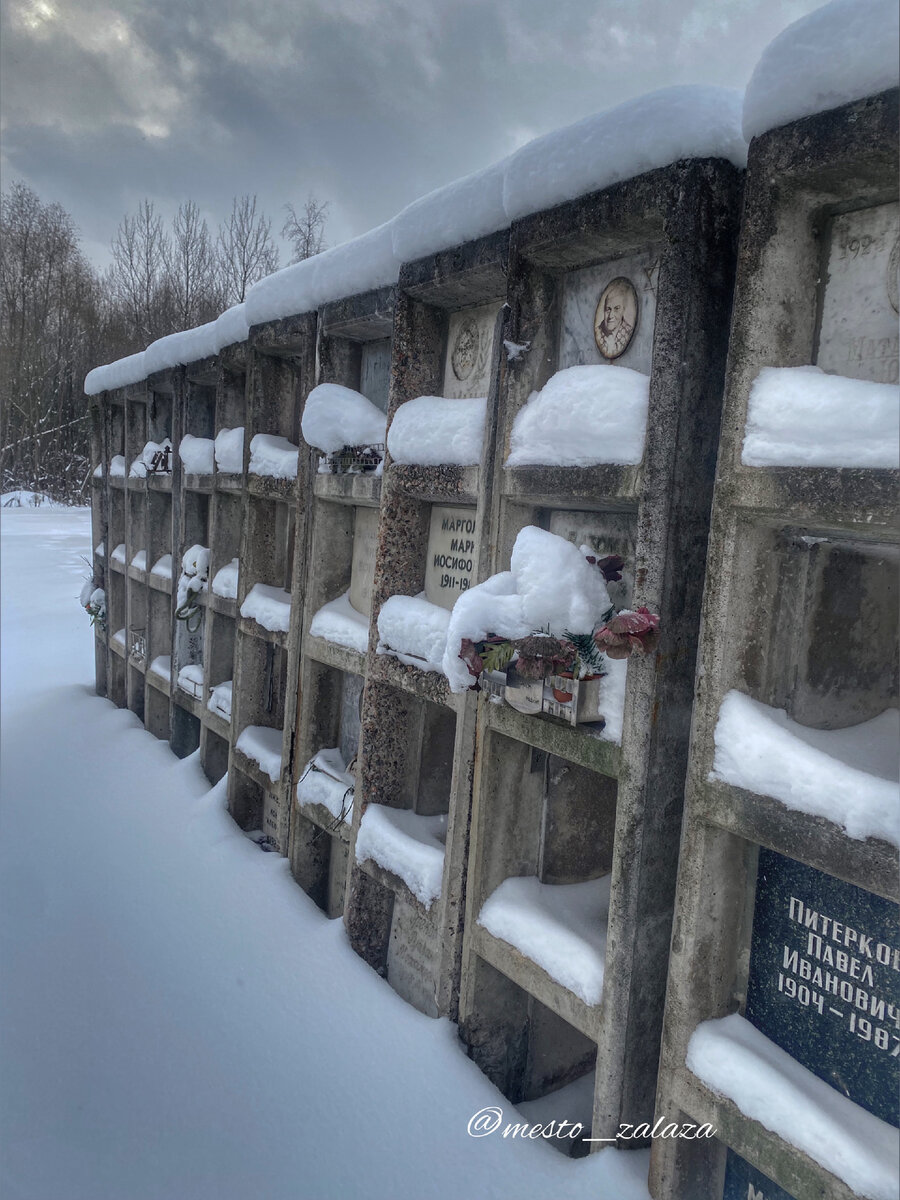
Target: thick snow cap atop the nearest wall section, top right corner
x,y
839,53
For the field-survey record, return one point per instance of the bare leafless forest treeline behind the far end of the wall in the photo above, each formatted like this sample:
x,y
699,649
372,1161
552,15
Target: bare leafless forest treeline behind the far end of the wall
x,y
61,316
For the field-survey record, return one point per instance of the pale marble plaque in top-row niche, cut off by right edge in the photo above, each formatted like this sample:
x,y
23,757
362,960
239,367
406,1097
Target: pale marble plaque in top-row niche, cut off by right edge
x,y
859,333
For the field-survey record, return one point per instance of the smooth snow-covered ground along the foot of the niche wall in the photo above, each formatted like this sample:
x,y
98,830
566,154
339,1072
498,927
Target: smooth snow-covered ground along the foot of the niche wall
x,y
179,1021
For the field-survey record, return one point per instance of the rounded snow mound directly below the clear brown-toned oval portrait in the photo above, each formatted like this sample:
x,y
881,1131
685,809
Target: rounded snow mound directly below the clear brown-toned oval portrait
x,y
583,417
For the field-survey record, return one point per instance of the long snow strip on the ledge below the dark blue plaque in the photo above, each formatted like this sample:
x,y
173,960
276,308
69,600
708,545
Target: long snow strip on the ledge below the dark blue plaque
x,y
737,1061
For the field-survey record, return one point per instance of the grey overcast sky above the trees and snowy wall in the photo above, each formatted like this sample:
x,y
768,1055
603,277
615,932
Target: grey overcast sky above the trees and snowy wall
x,y
368,104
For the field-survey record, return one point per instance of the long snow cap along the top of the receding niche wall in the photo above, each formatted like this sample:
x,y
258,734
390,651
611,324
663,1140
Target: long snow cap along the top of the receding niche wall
x,y
638,136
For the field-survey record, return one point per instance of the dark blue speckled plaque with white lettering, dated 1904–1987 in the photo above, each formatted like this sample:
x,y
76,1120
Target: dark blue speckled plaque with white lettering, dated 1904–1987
x,y
825,968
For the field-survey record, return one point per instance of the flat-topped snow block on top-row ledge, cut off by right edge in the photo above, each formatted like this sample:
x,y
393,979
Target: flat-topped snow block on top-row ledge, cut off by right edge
x,y
801,417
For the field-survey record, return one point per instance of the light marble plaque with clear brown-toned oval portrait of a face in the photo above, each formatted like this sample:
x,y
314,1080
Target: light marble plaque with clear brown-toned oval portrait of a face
x,y
609,314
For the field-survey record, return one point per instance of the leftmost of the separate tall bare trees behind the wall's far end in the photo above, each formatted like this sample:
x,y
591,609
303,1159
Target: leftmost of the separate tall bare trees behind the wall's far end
x,y
140,277
